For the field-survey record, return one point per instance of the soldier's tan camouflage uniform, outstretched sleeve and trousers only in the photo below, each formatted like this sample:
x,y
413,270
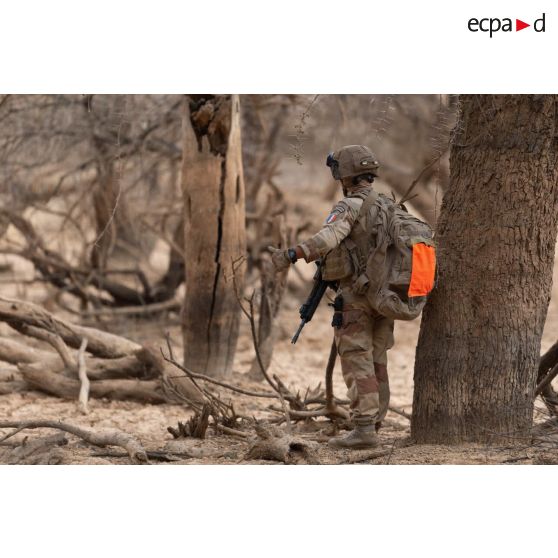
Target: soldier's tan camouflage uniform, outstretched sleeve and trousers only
x,y
365,336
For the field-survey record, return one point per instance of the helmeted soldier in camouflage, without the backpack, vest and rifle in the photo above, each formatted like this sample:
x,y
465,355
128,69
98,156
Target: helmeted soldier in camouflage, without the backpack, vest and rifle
x,y
364,336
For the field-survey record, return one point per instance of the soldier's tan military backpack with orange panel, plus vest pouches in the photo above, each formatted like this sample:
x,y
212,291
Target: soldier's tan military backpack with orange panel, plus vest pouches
x,y
389,257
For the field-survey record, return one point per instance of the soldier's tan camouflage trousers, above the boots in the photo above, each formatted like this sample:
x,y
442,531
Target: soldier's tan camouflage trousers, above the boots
x,y
362,343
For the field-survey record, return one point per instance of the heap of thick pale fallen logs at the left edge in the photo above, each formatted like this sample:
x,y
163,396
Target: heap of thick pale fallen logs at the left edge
x,y
108,373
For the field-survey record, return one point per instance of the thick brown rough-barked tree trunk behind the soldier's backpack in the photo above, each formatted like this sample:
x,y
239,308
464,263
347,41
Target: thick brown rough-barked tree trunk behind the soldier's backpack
x,y
479,345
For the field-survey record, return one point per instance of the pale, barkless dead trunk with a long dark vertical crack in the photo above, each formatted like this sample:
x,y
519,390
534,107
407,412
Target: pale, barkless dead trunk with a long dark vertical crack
x,y
214,228
